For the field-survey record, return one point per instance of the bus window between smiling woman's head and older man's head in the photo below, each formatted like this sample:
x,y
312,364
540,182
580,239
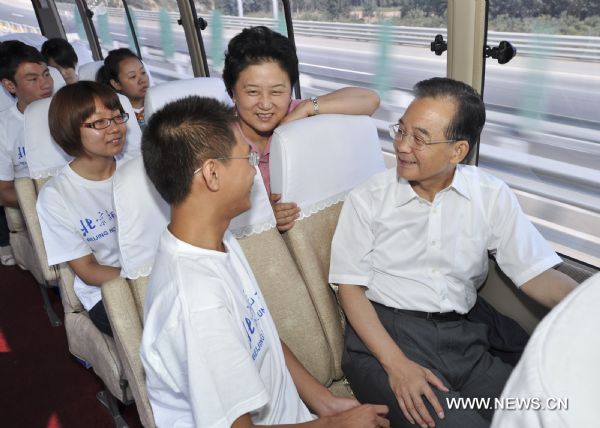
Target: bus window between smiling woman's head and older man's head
x,y
384,48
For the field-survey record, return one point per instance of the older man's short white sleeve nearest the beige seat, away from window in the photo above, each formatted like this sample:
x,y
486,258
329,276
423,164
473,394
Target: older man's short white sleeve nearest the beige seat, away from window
x,y
352,244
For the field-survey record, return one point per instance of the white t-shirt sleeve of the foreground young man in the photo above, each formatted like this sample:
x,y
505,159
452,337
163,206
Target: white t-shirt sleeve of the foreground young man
x,y
215,373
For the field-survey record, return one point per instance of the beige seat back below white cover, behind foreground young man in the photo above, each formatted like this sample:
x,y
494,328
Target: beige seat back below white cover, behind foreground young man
x,y
124,304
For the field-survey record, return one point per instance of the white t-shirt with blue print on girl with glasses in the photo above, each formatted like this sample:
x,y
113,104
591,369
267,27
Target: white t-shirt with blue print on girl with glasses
x,y
77,218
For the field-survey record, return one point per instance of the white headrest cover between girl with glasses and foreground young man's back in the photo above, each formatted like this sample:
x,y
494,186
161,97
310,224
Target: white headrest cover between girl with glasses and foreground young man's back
x,y
142,216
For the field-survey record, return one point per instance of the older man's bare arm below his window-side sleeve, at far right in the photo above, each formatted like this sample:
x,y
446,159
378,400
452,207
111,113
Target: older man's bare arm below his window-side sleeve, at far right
x,y
549,287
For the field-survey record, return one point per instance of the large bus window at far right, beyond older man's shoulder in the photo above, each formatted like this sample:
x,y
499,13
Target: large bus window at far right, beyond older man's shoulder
x,y
542,134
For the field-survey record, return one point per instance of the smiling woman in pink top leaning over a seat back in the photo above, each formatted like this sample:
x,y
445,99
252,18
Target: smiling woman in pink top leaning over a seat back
x,y
260,70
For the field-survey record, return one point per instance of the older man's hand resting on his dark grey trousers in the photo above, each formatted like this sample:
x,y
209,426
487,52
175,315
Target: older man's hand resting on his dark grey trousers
x,y
410,382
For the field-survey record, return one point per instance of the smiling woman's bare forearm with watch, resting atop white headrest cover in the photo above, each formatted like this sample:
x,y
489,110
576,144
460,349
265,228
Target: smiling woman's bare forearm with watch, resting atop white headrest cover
x,y
348,100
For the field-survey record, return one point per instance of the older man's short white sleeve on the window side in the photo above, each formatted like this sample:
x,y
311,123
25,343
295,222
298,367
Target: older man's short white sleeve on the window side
x,y
521,251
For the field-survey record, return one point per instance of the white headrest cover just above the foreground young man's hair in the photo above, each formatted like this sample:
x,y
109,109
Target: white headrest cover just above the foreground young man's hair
x,y
163,93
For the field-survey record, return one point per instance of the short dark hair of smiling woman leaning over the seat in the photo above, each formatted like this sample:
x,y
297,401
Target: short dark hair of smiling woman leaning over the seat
x,y
257,45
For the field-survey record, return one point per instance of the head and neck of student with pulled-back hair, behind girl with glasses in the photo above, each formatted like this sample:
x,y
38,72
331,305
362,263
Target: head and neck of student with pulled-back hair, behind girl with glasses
x,y
124,72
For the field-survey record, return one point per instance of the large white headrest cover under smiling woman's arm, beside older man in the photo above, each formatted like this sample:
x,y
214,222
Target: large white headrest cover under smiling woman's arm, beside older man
x,y
316,161
